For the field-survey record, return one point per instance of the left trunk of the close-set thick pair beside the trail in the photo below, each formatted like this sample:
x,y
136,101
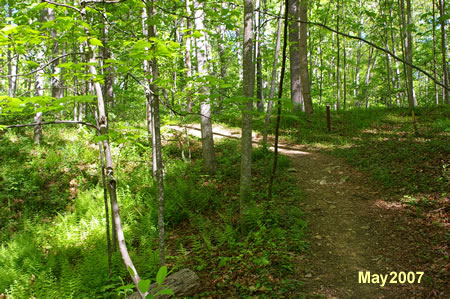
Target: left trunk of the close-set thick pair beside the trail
x,y
294,55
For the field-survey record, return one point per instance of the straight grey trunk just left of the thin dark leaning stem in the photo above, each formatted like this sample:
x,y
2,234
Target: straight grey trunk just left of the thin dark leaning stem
x,y
248,83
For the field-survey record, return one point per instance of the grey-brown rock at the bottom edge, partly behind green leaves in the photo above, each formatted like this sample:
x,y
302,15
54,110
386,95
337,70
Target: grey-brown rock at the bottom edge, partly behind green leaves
x,y
183,283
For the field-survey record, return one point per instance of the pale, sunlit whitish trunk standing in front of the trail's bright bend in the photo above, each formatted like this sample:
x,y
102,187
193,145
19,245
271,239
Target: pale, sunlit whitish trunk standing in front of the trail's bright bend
x,y
209,158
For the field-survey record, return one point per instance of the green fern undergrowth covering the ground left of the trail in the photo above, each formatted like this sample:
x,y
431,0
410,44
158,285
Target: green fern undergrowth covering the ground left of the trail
x,y
52,218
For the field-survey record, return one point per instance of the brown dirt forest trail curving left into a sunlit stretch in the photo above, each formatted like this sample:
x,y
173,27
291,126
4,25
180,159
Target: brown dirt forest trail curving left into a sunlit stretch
x,y
353,227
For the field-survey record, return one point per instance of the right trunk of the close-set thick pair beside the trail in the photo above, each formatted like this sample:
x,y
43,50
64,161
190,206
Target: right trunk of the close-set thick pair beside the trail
x,y
303,52
